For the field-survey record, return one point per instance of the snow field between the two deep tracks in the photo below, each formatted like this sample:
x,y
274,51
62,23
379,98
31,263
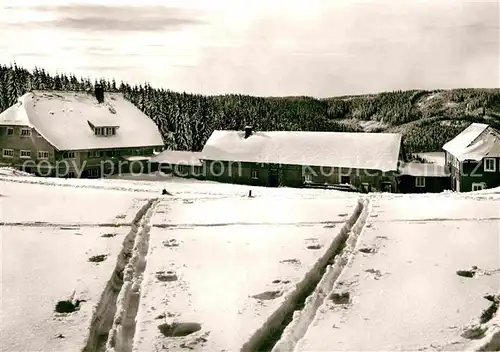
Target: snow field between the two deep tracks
x,y
229,265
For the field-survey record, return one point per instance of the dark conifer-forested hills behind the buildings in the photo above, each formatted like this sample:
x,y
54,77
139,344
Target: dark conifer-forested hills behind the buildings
x,y
427,119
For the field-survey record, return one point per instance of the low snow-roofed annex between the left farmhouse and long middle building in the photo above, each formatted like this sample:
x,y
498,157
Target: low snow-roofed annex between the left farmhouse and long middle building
x,y
178,163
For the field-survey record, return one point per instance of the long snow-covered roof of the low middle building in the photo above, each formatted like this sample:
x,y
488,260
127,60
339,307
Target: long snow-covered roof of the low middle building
x,y
376,151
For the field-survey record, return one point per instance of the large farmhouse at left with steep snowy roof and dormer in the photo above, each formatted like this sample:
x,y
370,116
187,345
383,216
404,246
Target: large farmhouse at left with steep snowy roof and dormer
x,y
76,134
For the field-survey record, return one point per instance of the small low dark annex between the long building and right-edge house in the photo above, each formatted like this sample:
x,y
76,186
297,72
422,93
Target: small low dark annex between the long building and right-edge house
x,y
423,178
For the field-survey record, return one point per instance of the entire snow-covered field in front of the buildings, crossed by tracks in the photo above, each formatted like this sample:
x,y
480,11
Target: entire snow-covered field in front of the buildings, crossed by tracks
x,y
209,268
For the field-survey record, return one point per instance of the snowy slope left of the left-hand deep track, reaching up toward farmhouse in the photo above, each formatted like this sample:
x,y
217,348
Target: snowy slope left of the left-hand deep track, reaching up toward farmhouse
x,y
57,244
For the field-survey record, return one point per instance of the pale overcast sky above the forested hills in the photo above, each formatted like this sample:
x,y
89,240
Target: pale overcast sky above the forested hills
x,y
281,47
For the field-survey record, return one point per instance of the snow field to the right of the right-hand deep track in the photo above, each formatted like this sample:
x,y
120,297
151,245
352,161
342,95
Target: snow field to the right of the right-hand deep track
x,y
402,281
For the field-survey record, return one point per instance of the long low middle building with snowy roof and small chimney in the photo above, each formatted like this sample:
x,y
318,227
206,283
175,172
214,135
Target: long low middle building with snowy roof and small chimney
x,y
297,159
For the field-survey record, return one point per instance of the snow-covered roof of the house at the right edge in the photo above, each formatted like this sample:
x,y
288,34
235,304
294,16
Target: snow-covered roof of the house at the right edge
x,y
474,143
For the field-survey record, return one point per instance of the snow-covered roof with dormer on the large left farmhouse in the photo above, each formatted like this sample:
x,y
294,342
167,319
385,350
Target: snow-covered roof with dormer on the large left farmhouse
x,y
62,118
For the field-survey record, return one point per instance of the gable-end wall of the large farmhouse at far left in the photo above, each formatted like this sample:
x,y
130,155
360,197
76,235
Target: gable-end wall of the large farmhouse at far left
x,y
34,143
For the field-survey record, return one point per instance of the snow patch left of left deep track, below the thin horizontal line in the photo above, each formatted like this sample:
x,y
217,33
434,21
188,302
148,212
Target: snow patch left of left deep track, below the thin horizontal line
x,y
41,266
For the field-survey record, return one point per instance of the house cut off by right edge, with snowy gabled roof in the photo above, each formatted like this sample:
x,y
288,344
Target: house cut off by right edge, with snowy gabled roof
x,y
473,158
